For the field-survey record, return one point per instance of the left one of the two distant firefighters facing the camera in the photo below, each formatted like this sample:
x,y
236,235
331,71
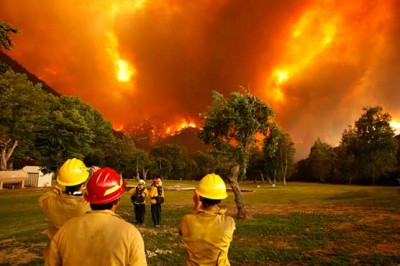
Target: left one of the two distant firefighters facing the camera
x,y
138,198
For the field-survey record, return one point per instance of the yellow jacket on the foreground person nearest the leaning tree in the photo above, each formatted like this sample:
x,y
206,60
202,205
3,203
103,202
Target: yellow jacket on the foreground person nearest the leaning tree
x,y
206,236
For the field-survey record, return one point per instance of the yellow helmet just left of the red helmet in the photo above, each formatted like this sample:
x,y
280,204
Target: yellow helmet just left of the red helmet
x,y
73,172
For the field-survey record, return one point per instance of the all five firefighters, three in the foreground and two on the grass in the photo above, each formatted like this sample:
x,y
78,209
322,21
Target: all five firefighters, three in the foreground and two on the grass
x,y
84,229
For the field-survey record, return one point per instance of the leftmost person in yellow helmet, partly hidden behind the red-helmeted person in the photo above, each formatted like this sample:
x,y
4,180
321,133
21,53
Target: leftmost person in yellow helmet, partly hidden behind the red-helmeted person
x,y
65,200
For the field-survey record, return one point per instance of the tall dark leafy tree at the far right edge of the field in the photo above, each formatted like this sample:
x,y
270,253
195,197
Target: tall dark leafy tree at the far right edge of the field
x,y
371,144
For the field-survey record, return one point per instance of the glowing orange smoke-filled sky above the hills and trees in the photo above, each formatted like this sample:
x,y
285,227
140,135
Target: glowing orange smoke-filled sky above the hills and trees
x,y
317,63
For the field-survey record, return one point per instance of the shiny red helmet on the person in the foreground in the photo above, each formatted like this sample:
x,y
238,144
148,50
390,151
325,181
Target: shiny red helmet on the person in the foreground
x,y
104,186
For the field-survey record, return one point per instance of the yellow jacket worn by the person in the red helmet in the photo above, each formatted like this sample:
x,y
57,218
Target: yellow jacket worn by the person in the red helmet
x,y
97,238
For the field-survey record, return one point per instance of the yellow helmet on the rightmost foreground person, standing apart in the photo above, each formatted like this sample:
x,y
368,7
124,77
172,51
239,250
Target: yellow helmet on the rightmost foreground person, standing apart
x,y
212,186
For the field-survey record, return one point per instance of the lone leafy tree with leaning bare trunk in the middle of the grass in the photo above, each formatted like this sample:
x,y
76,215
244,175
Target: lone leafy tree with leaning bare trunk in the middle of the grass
x,y
230,127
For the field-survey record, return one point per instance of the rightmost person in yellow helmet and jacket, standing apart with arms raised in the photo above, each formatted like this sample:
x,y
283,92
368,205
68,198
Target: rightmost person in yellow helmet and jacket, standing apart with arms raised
x,y
207,232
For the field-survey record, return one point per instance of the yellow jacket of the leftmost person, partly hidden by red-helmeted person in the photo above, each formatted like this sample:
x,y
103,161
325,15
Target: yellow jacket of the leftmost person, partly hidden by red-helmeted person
x,y
59,207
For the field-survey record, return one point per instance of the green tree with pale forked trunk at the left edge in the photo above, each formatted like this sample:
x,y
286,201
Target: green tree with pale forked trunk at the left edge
x,y
22,105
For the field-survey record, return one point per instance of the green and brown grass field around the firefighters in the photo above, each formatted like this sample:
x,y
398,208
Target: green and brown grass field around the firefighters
x,y
297,224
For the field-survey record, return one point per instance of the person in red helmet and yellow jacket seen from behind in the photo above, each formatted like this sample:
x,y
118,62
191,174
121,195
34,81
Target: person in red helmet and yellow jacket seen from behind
x,y
100,236
